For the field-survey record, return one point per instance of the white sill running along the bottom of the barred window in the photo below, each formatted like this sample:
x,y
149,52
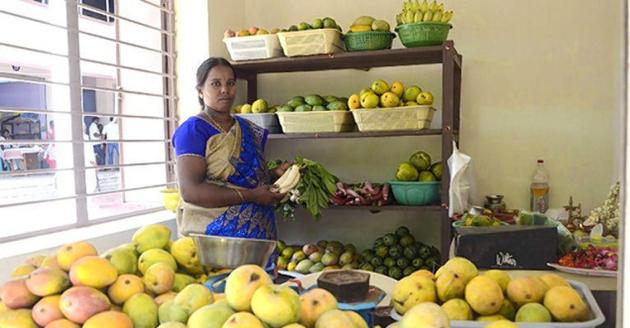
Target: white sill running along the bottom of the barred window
x,y
53,240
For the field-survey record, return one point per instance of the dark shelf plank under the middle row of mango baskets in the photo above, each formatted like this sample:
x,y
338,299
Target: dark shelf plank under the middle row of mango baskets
x,y
341,135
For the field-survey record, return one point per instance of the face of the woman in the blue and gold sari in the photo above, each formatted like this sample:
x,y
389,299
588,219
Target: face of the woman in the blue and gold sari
x,y
219,90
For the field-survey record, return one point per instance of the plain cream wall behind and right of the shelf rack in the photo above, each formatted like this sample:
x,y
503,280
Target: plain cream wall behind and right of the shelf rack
x,y
541,80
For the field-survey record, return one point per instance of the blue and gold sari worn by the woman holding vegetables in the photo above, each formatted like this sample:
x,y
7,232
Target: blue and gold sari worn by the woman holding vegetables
x,y
234,159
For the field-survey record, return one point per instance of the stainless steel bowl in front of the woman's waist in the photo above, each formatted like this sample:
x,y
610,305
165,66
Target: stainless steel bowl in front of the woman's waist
x,y
232,252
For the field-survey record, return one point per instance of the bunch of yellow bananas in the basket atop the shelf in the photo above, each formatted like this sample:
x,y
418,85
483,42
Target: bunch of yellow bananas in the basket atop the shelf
x,y
416,12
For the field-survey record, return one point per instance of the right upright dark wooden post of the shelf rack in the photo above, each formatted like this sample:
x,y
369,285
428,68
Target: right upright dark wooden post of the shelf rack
x,y
448,121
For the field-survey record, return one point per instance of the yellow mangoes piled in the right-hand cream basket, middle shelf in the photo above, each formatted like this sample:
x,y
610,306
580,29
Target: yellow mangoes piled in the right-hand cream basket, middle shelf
x,y
381,94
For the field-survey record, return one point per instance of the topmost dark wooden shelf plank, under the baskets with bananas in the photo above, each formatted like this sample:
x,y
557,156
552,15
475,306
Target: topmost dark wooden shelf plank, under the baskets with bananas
x,y
343,60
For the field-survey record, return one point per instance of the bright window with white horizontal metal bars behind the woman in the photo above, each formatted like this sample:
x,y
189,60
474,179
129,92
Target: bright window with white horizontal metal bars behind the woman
x,y
86,113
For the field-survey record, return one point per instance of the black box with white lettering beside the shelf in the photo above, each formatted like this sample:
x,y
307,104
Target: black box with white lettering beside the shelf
x,y
508,247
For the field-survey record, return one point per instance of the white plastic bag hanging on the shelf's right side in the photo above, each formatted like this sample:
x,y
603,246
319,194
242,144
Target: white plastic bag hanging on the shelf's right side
x,y
462,182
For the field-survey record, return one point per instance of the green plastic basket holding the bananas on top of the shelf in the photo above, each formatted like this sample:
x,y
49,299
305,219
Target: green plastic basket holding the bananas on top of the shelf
x,y
423,34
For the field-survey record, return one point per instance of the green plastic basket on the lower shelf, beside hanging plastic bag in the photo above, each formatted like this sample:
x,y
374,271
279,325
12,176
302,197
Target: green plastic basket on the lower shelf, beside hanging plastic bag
x,y
416,192
